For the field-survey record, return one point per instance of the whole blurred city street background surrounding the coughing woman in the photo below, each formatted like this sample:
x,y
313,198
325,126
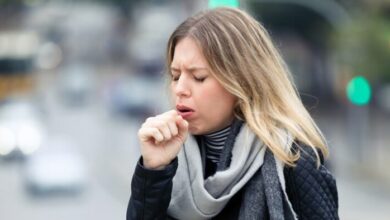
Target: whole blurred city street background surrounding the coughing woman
x,y
78,79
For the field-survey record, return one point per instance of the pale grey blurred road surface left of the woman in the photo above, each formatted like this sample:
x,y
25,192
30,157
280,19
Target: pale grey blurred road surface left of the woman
x,y
109,150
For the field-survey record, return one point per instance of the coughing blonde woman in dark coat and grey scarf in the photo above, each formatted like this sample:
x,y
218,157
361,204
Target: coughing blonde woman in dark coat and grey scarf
x,y
239,143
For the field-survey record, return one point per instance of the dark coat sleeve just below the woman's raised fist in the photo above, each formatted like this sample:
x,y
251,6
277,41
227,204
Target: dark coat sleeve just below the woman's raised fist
x,y
150,192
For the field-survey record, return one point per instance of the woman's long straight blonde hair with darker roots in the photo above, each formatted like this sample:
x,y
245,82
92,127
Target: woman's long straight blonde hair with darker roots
x,y
244,60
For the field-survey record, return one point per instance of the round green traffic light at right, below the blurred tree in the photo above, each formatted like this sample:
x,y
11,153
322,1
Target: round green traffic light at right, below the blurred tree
x,y
359,91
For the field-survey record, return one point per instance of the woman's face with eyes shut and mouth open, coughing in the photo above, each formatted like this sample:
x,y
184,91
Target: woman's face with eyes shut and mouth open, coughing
x,y
199,97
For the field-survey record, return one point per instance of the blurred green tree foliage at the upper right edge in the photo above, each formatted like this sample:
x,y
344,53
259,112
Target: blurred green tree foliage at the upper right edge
x,y
363,46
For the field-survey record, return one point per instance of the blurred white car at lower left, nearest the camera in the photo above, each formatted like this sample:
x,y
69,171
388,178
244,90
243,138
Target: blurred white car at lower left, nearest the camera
x,y
57,167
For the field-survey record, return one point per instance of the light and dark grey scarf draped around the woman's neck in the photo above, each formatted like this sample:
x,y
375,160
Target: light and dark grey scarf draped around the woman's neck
x,y
194,197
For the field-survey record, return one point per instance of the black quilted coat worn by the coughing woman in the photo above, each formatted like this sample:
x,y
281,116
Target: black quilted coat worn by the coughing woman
x,y
311,190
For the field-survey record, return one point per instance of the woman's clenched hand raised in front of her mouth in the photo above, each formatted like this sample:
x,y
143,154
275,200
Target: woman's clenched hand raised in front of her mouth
x,y
161,138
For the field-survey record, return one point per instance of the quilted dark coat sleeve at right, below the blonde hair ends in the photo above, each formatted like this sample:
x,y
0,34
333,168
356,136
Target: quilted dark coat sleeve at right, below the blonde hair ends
x,y
312,190
